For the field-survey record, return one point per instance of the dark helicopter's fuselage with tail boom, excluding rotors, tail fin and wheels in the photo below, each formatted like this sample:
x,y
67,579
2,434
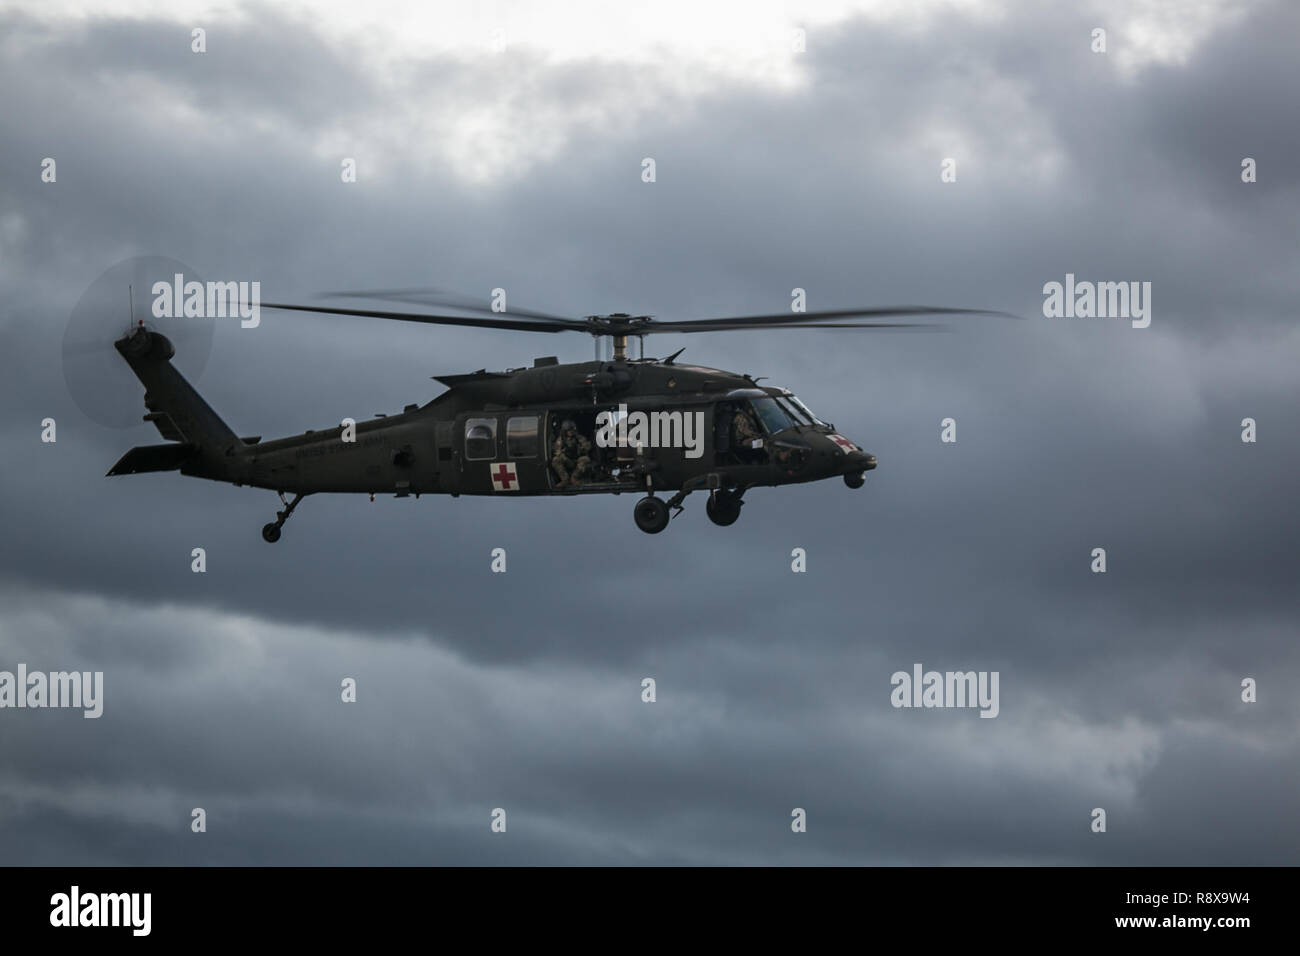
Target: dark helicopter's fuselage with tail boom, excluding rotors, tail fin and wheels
x,y
495,434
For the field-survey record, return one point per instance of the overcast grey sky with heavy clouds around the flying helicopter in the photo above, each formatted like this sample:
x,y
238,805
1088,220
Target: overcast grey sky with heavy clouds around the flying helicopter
x,y
502,145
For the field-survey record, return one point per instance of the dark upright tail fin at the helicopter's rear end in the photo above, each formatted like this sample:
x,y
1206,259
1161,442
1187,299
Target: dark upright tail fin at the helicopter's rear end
x,y
176,409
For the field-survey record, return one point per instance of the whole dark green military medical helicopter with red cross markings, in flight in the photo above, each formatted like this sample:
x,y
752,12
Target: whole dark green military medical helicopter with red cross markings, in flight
x,y
613,426
